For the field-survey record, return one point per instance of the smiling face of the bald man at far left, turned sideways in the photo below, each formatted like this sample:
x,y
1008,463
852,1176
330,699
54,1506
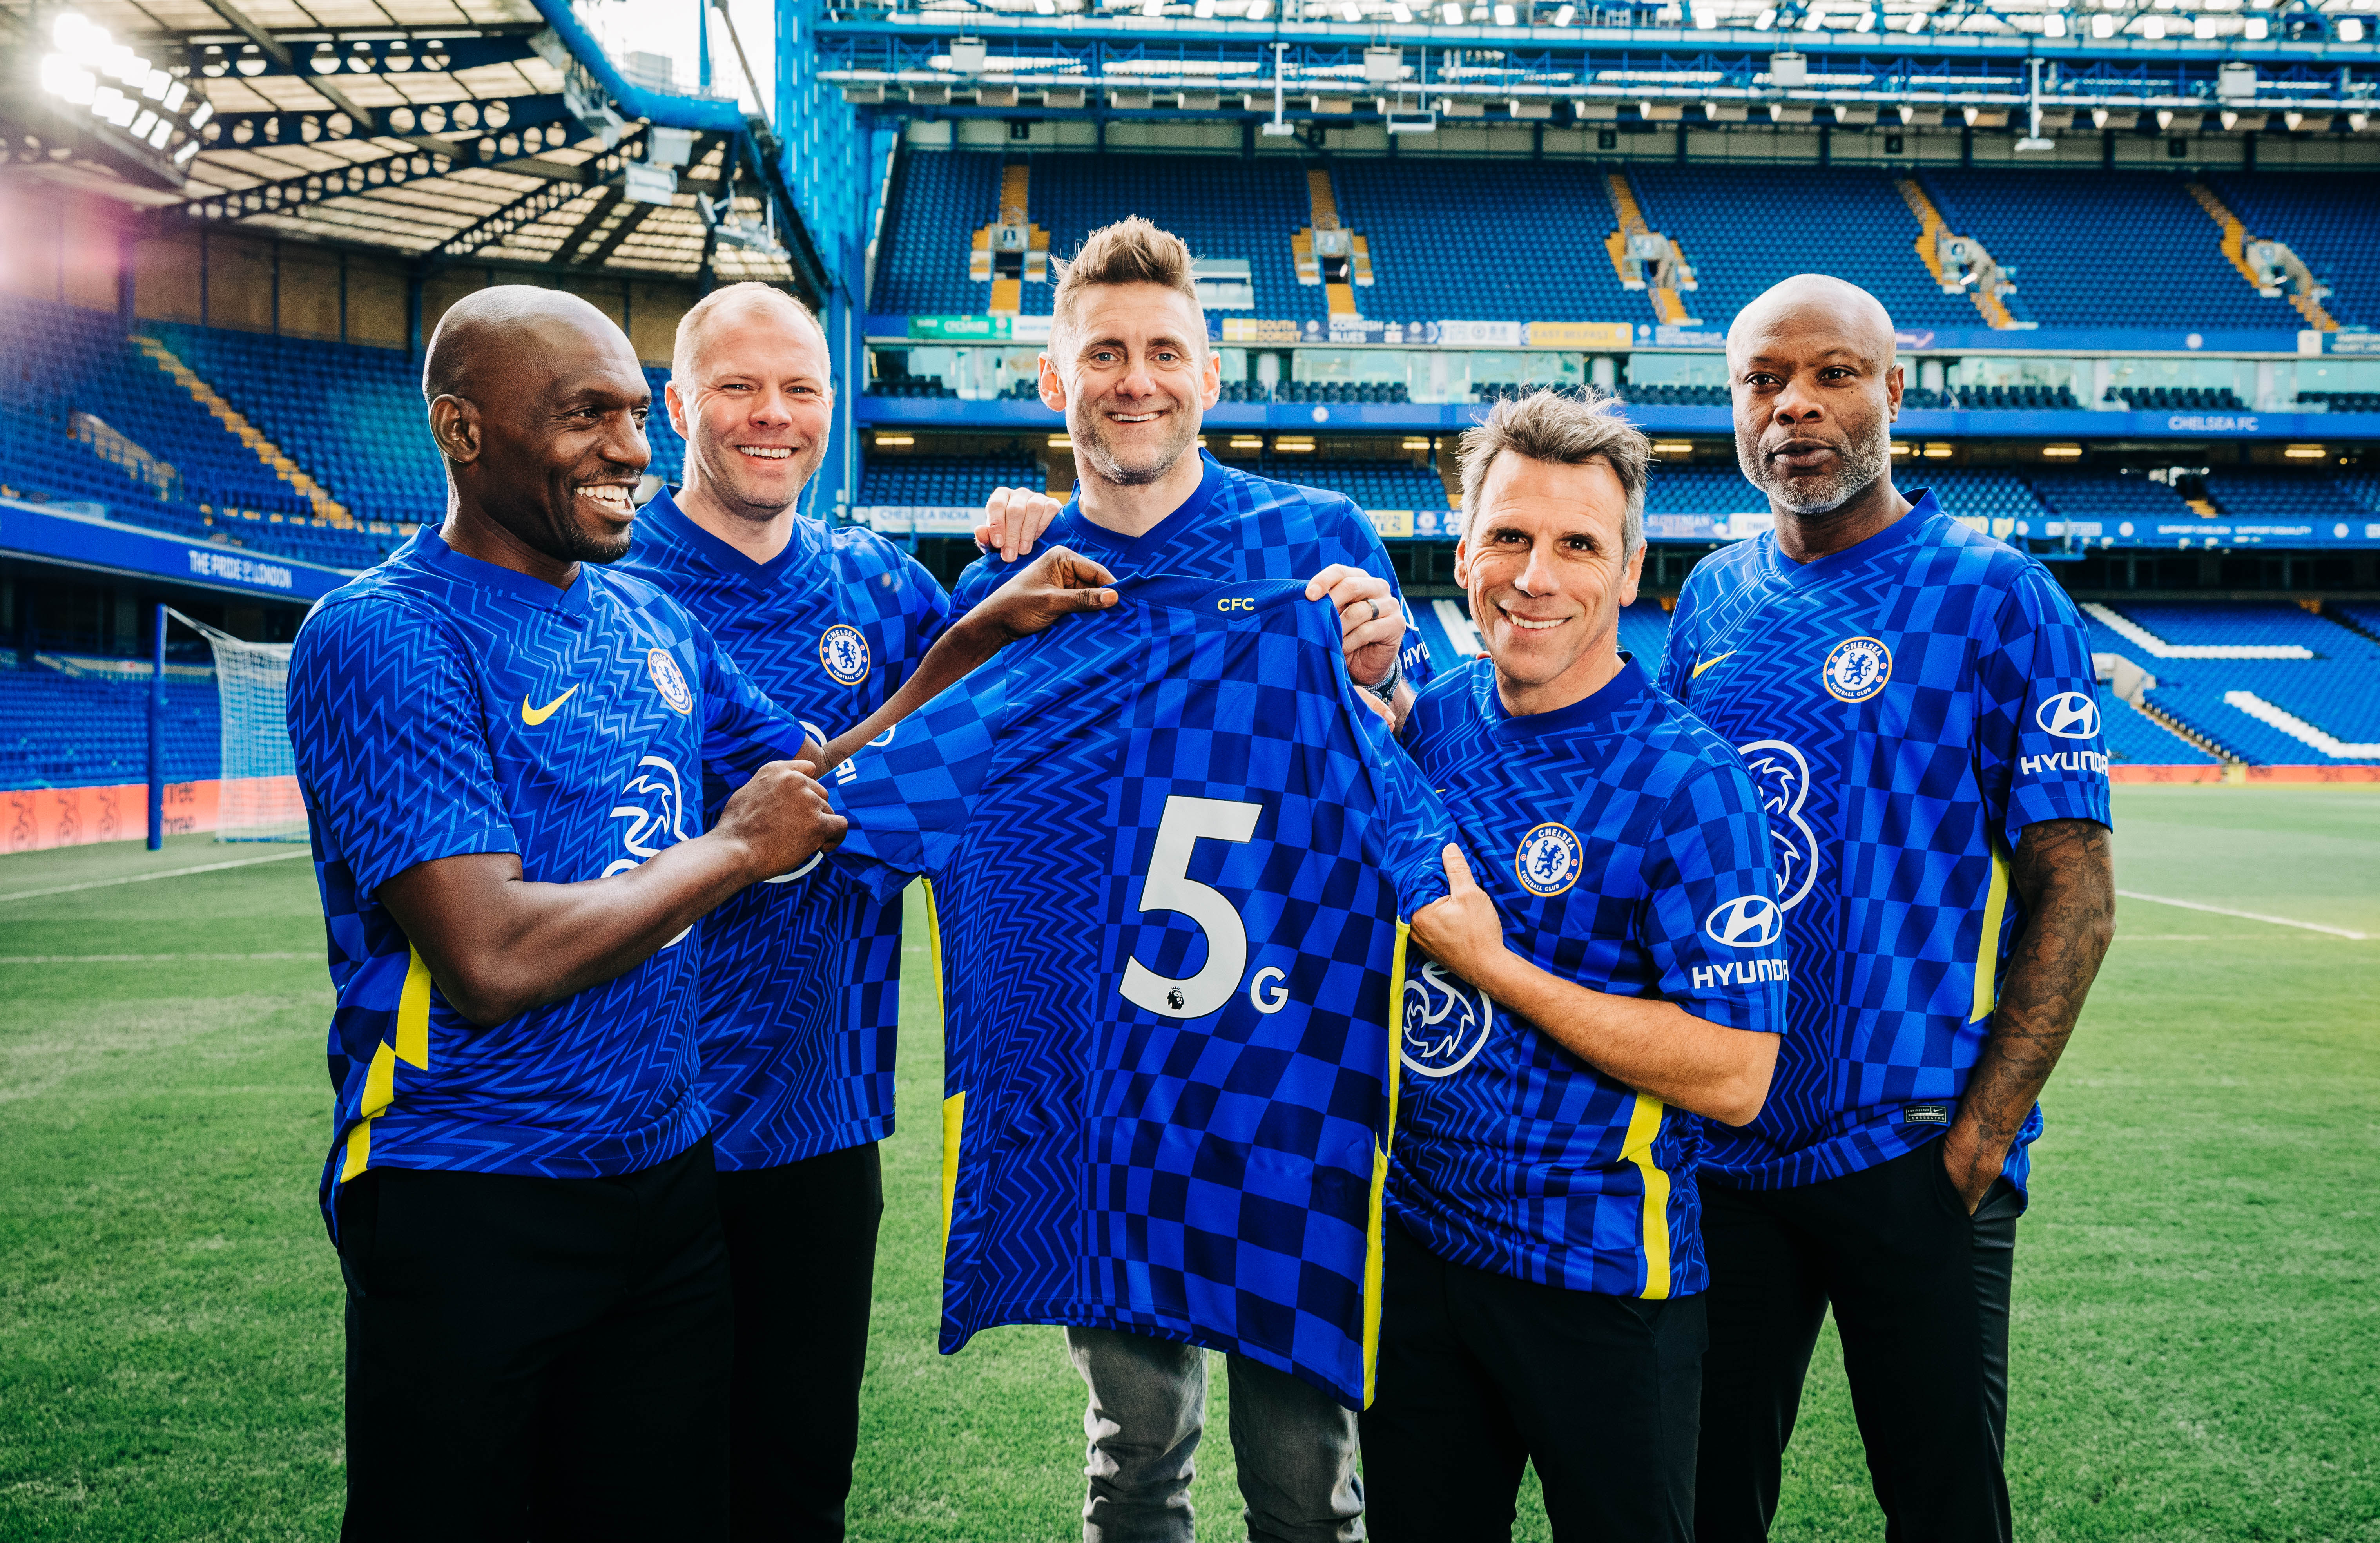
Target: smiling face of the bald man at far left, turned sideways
x,y
549,432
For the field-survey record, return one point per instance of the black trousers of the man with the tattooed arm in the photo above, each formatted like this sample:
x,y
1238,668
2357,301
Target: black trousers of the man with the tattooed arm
x,y
1922,1304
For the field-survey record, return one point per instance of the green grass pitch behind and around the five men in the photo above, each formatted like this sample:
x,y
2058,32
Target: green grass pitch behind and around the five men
x,y
2198,1294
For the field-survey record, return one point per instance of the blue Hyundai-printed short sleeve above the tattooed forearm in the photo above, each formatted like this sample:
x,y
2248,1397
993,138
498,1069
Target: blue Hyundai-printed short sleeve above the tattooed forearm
x,y
2041,744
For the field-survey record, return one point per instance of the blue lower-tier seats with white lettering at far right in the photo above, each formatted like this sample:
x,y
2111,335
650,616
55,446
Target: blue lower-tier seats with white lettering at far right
x,y
2331,689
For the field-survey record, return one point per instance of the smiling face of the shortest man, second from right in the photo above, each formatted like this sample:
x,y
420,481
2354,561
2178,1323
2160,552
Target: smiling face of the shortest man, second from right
x,y
1548,577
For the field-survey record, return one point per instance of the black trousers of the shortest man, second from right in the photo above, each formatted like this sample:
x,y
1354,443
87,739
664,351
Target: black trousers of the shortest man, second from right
x,y
1482,1375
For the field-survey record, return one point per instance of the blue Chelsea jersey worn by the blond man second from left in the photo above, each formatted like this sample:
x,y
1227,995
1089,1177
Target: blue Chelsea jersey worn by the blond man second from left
x,y
801,977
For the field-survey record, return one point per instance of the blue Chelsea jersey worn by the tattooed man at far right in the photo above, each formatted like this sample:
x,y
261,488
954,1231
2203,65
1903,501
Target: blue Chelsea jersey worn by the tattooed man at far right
x,y
1908,708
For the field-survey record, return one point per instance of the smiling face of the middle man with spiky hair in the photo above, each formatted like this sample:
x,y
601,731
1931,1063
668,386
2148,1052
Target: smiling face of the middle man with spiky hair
x,y
1134,375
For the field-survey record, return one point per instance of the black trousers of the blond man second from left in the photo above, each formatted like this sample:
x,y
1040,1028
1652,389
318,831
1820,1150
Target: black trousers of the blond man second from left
x,y
803,1251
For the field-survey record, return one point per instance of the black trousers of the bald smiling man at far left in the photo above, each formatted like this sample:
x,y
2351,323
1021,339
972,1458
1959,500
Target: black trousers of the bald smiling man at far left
x,y
537,1358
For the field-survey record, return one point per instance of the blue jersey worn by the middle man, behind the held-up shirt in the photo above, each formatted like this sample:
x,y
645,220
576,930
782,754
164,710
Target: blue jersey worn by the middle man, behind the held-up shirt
x,y
1236,527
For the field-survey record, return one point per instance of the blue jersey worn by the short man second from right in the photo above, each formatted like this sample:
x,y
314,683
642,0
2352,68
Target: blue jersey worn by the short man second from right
x,y
1627,851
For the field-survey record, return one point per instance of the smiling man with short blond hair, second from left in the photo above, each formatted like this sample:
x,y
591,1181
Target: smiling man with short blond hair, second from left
x,y
803,973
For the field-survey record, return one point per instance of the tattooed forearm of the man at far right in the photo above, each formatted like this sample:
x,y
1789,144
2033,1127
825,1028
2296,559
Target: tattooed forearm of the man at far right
x,y
2065,875
